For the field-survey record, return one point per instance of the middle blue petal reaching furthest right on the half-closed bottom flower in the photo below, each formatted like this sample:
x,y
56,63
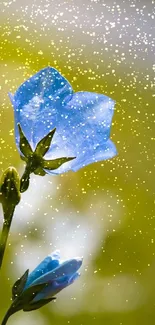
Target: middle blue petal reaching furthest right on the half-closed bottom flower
x,y
67,268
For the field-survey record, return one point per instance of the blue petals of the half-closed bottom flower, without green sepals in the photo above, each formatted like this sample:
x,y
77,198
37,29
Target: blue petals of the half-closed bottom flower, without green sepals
x,y
58,275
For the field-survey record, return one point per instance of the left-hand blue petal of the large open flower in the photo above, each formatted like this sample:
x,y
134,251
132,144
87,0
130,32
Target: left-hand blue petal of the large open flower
x,y
36,99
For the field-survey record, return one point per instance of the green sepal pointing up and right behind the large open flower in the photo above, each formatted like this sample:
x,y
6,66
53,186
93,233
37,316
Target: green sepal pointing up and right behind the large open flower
x,y
44,144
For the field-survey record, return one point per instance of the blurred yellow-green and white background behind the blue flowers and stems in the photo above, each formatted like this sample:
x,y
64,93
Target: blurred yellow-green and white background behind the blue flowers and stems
x,y
105,211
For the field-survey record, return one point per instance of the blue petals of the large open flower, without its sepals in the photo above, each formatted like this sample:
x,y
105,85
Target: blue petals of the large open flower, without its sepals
x,y
82,120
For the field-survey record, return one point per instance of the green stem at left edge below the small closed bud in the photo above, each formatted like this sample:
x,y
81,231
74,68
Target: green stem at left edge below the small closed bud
x,y
8,214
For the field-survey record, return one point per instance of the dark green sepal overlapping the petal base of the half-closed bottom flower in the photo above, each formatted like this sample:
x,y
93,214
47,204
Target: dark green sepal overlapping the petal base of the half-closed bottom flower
x,y
30,293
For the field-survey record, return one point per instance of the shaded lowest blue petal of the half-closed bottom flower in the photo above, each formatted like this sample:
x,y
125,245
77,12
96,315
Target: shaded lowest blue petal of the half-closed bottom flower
x,y
56,286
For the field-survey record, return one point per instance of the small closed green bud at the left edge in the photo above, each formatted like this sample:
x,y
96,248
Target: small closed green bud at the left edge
x,y
10,187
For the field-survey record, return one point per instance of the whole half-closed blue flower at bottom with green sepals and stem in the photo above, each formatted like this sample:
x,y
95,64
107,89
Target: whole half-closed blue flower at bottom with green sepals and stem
x,y
38,288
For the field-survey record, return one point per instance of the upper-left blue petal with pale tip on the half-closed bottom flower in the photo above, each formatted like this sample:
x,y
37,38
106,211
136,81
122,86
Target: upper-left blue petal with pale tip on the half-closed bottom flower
x,y
47,265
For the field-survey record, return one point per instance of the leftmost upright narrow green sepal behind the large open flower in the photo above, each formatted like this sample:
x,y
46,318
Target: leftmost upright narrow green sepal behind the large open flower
x,y
24,145
